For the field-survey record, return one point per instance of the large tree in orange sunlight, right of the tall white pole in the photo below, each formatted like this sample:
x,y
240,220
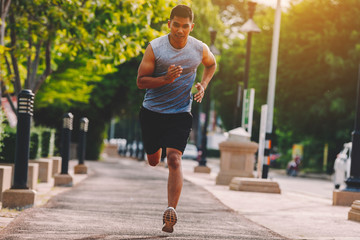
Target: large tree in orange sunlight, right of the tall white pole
x,y
319,55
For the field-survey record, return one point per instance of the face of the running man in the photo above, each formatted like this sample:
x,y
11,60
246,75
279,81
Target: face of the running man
x,y
180,29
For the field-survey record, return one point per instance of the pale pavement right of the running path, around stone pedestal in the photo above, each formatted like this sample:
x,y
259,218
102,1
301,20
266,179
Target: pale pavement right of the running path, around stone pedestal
x,y
302,211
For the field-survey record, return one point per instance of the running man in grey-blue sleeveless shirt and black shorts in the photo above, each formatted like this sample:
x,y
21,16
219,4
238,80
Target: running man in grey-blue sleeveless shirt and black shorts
x,y
167,72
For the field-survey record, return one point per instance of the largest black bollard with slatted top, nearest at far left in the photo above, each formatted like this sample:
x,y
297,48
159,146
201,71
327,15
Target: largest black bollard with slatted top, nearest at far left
x,y
24,113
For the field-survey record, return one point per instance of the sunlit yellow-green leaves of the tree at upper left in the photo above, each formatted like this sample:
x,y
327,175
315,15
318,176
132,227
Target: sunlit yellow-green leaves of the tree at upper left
x,y
106,32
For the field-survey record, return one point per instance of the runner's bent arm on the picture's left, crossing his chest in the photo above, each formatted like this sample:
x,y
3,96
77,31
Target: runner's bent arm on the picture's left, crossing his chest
x,y
146,69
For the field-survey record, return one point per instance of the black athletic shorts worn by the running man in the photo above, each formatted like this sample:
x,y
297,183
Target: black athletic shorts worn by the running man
x,y
161,130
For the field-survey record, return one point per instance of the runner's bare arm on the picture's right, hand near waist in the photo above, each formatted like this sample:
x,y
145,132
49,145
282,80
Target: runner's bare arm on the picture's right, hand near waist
x,y
210,66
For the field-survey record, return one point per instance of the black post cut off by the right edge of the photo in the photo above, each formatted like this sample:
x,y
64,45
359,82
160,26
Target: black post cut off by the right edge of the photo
x,y
353,182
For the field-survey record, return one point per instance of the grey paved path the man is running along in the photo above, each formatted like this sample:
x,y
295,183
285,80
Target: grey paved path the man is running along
x,y
125,199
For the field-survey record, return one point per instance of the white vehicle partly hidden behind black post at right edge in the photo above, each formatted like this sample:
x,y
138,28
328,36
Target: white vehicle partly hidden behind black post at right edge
x,y
342,165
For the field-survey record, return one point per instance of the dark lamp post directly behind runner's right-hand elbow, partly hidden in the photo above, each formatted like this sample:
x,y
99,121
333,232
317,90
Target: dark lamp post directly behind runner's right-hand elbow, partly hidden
x,y
202,163
